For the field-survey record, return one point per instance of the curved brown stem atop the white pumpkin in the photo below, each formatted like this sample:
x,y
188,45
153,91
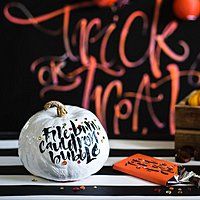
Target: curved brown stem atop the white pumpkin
x,y
61,110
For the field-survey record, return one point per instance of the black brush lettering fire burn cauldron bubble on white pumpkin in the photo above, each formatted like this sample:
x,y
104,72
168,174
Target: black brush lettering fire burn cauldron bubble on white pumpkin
x,y
76,143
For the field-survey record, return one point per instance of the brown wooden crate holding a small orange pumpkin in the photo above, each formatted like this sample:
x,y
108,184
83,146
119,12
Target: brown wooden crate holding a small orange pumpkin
x,y
187,120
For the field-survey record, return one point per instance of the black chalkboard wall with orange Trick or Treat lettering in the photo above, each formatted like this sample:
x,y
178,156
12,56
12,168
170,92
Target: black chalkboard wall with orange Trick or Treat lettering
x,y
129,66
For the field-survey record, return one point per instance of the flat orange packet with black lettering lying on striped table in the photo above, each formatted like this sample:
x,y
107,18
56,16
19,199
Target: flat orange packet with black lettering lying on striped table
x,y
148,168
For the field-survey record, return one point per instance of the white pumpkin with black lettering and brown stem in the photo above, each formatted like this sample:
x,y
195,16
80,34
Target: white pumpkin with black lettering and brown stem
x,y
63,143
